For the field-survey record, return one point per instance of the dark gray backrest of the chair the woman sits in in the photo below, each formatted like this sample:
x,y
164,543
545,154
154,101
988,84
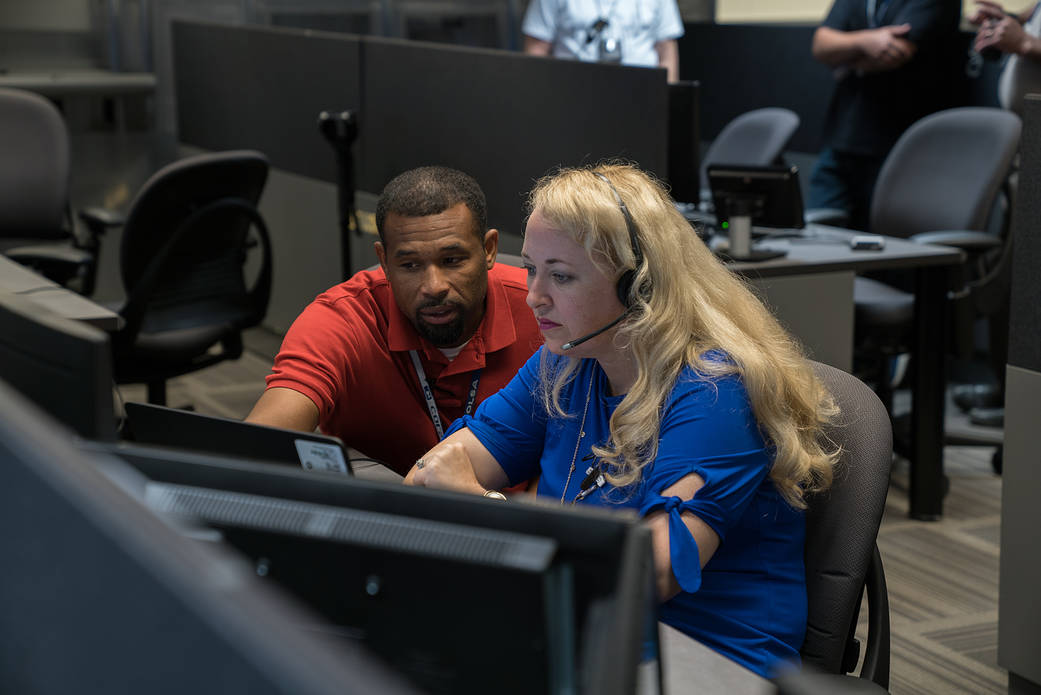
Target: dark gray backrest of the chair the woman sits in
x,y
843,523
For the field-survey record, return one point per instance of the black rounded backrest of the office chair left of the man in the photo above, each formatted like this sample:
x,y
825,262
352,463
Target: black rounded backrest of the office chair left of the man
x,y
185,244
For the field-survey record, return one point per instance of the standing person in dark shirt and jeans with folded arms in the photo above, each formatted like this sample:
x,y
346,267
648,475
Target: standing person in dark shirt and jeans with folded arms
x,y
890,59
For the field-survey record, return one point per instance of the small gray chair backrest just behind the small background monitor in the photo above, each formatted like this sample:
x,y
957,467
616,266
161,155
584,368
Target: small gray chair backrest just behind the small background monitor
x,y
755,138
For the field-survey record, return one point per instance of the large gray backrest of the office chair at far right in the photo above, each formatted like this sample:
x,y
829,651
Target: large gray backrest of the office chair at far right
x,y
946,172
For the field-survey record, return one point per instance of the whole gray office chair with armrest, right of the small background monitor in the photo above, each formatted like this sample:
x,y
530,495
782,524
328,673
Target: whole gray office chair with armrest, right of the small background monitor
x,y
938,186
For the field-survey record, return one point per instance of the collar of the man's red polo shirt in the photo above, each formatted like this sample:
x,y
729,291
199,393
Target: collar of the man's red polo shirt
x,y
496,331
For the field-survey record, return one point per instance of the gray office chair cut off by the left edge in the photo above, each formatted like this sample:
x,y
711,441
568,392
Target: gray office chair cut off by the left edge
x,y
35,193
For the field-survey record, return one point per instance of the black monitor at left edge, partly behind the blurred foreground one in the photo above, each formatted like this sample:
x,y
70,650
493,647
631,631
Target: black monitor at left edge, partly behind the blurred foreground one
x,y
62,365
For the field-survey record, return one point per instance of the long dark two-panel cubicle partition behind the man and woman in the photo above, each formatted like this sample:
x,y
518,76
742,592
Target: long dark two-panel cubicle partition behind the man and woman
x,y
504,118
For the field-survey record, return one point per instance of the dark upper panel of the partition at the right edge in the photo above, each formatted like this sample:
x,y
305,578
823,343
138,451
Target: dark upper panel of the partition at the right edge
x,y
1025,348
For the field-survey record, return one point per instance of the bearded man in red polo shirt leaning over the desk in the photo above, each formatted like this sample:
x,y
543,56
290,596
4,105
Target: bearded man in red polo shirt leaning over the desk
x,y
389,359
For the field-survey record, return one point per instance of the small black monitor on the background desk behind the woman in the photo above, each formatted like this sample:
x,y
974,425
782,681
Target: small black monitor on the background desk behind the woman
x,y
770,195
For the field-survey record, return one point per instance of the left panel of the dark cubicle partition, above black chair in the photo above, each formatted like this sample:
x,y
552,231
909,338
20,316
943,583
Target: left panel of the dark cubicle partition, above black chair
x,y
247,87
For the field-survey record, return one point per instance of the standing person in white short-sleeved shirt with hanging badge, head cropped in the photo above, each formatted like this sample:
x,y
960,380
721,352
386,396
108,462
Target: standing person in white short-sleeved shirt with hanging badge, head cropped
x,y
633,33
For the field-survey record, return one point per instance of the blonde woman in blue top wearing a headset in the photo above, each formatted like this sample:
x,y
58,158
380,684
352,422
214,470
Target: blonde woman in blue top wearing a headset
x,y
665,373
